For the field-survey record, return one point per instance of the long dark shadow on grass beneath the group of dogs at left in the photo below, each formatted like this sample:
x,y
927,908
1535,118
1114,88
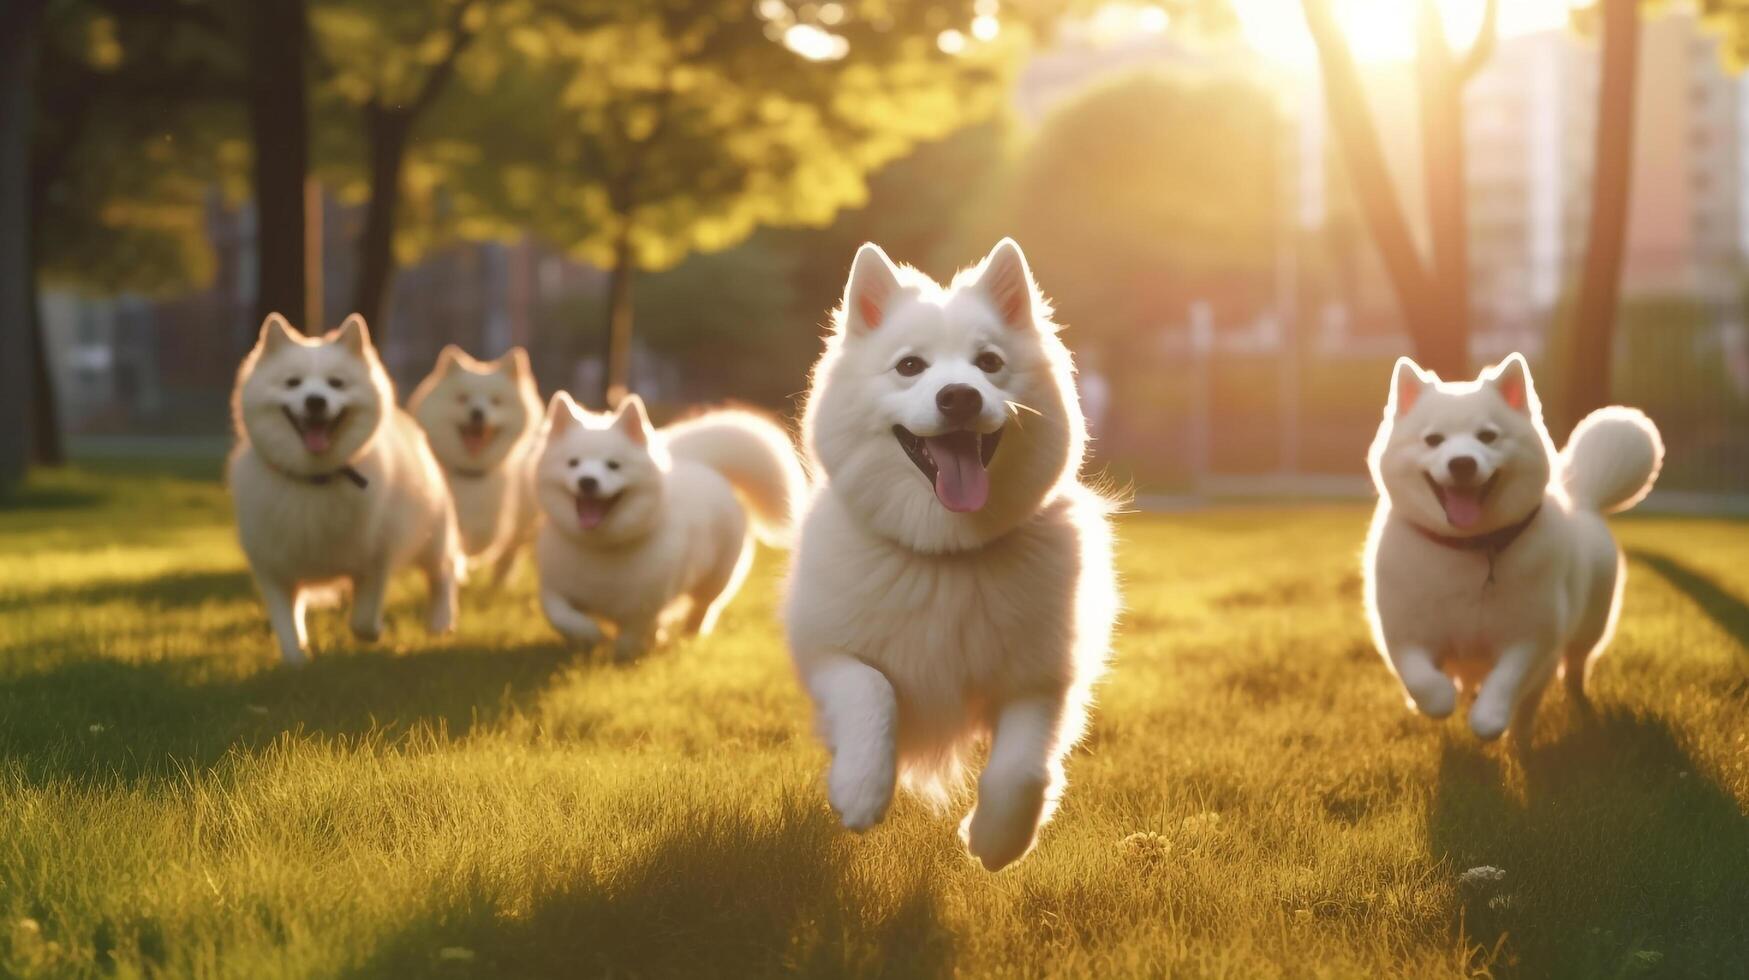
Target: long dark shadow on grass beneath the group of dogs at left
x,y
101,720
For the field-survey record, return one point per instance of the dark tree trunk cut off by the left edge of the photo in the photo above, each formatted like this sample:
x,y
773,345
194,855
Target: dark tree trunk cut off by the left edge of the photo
x,y
18,76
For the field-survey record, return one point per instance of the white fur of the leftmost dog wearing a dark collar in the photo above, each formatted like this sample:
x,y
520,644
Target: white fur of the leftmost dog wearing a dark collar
x,y
303,524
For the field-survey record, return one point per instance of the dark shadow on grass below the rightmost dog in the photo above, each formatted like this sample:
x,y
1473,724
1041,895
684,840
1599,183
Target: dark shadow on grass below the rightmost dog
x,y
1619,857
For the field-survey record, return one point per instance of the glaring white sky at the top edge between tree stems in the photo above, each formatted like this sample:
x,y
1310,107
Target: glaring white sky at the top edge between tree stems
x,y
1384,31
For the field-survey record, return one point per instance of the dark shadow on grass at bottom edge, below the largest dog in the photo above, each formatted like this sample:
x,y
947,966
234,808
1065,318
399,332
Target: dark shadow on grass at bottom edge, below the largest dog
x,y
720,893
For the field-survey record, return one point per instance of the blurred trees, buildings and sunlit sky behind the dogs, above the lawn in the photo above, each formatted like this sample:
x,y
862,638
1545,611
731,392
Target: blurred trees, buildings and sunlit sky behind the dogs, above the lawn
x,y
1243,221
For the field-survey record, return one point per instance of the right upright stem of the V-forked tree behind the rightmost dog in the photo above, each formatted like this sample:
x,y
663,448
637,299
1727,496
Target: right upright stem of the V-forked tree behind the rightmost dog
x,y
1442,130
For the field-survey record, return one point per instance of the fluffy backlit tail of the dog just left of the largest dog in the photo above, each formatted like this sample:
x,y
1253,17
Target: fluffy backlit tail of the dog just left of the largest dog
x,y
756,456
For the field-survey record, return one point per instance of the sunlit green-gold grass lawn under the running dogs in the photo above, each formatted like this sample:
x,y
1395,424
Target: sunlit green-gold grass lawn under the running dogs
x,y
1255,801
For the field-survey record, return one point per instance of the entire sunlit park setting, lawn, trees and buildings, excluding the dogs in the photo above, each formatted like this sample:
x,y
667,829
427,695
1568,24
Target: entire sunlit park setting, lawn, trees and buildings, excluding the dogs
x,y
1244,211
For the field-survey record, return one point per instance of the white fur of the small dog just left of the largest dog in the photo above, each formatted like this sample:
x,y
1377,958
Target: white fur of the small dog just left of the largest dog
x,y
674,545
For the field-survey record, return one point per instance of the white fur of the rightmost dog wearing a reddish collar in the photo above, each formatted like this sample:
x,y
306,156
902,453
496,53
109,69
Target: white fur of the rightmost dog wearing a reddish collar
x,y
1556,589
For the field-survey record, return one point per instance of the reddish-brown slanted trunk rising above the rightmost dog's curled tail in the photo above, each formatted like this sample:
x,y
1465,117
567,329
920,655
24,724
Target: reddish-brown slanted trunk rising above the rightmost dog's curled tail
x,y
1613,169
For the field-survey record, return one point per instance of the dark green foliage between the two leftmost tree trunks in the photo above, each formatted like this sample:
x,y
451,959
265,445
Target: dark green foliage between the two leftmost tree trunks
x,y
136,132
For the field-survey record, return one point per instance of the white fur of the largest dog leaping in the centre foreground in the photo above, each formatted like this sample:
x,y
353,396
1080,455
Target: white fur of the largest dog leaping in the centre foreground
x,y
919,631
